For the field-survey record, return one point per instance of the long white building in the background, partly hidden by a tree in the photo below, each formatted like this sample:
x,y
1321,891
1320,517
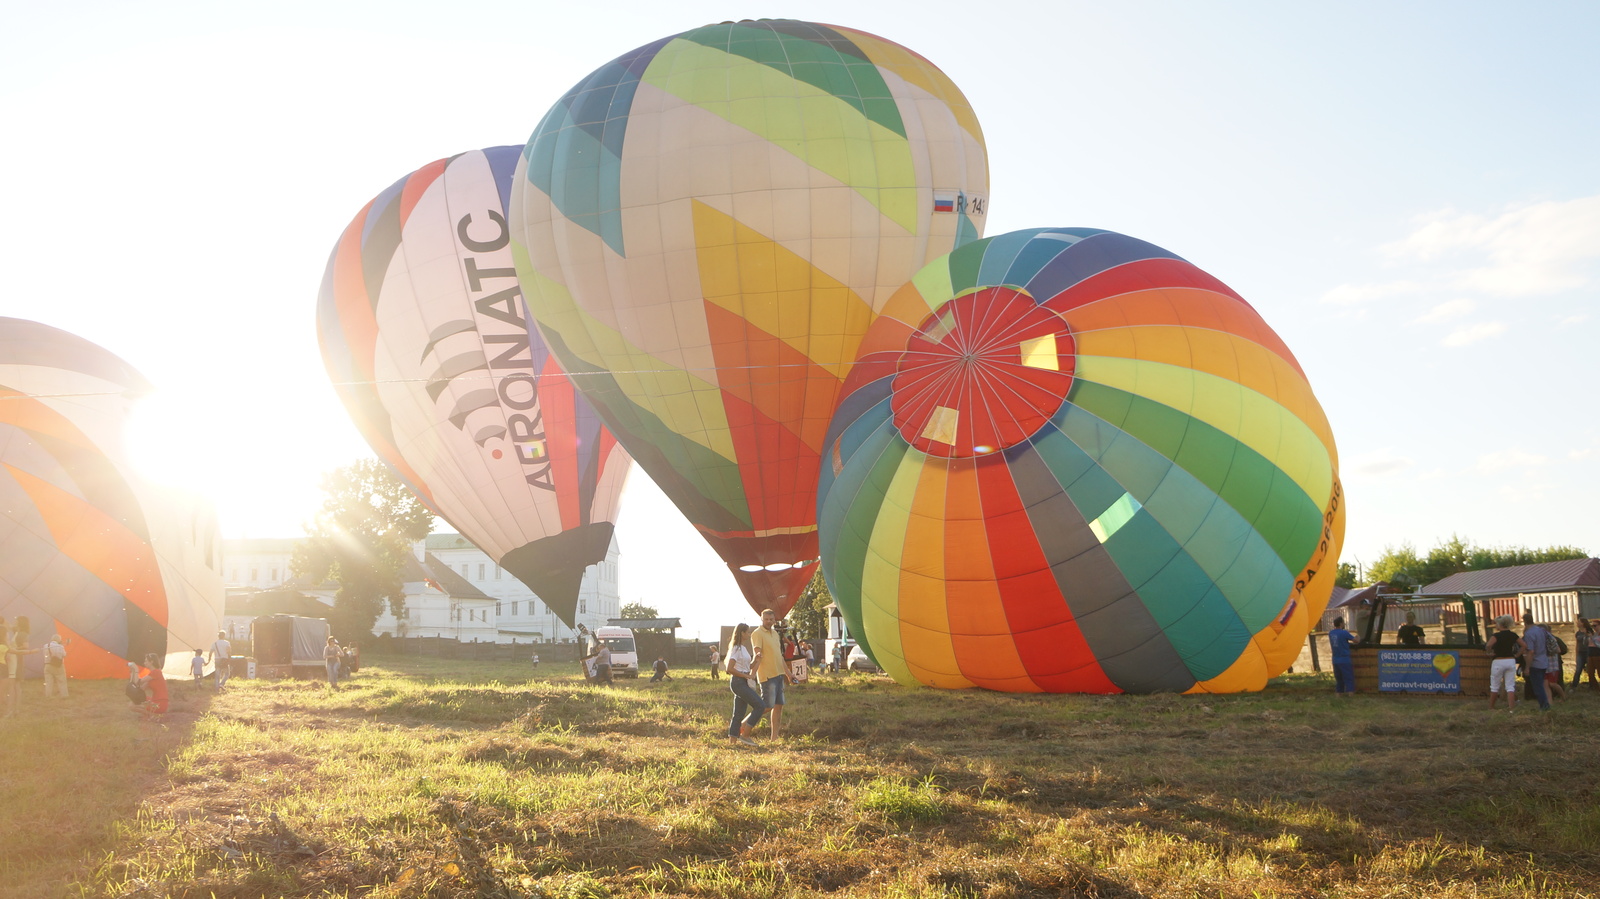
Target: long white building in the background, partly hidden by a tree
x,y
452,589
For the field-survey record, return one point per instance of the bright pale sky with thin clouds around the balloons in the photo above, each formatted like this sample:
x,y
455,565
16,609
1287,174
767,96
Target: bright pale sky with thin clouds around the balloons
x,y
1409,194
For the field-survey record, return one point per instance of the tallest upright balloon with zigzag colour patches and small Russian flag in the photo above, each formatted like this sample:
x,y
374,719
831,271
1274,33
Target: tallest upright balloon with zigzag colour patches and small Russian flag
x,y
705,228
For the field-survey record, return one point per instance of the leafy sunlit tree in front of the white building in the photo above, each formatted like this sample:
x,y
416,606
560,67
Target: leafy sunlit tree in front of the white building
x,y
361,540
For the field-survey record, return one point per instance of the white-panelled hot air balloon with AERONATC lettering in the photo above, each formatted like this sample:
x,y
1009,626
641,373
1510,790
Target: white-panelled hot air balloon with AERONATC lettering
x,y
426,338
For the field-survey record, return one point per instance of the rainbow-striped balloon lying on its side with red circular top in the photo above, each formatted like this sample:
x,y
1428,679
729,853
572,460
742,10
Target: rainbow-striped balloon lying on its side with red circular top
x,y
1071,461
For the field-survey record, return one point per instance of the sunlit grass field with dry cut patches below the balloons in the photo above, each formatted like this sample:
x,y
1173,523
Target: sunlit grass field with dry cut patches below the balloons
x,y
431,778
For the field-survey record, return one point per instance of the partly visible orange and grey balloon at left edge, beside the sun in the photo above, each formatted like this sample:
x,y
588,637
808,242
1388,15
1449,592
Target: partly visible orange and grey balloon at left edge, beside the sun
x,y
94,553
